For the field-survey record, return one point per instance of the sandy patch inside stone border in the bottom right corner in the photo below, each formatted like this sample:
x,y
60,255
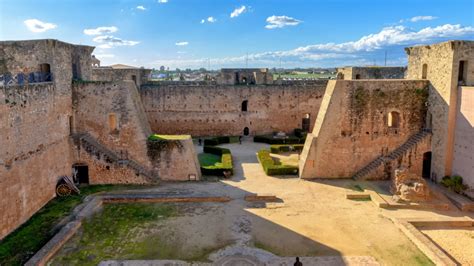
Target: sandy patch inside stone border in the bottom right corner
x,y
458,243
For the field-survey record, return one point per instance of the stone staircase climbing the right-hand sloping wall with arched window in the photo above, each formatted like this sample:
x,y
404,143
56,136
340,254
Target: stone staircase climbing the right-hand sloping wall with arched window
x,y
410,143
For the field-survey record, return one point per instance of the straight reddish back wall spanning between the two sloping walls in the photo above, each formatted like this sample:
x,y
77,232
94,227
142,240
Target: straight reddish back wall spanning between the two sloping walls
x,y
204,110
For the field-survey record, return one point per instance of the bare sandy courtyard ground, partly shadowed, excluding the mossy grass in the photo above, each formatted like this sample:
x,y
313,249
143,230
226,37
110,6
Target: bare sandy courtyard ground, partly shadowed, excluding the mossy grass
x,y
313,218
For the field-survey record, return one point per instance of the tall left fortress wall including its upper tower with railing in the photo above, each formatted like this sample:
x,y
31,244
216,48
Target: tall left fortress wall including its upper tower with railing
x,y
35,111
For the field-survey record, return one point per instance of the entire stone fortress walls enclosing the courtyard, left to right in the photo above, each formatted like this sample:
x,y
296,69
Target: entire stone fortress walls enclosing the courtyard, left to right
x,y
101,120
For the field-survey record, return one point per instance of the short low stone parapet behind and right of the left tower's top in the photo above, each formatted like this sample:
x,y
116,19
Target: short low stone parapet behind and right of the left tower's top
x,y
112,74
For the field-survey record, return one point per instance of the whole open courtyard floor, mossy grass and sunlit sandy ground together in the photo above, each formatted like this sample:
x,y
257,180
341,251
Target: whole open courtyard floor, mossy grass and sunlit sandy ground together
x,y
310,219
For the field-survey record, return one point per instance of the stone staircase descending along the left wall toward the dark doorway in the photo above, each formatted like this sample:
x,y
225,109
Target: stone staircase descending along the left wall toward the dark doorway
x,y
91,145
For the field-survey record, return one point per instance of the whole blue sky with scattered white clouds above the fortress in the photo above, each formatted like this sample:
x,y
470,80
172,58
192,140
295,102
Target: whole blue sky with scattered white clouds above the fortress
x,y
192,33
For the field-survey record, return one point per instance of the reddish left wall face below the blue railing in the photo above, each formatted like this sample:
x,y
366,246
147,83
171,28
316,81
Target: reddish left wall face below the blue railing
x,y
35,149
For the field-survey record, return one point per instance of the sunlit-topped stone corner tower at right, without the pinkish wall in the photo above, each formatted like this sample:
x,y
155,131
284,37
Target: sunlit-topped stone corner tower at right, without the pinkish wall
x,y
442,66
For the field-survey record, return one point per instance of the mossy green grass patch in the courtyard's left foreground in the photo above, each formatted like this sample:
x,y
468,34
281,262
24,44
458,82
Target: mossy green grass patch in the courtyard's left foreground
x,y
113,234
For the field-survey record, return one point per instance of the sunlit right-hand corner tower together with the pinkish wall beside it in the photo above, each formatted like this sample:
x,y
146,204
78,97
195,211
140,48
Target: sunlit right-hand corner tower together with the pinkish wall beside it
x,y
449,111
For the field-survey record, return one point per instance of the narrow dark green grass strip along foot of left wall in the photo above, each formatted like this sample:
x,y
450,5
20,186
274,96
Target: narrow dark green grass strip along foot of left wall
x,y
23,243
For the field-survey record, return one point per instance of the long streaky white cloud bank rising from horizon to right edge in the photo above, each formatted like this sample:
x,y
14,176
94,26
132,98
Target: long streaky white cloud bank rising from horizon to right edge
x,y
357,52
